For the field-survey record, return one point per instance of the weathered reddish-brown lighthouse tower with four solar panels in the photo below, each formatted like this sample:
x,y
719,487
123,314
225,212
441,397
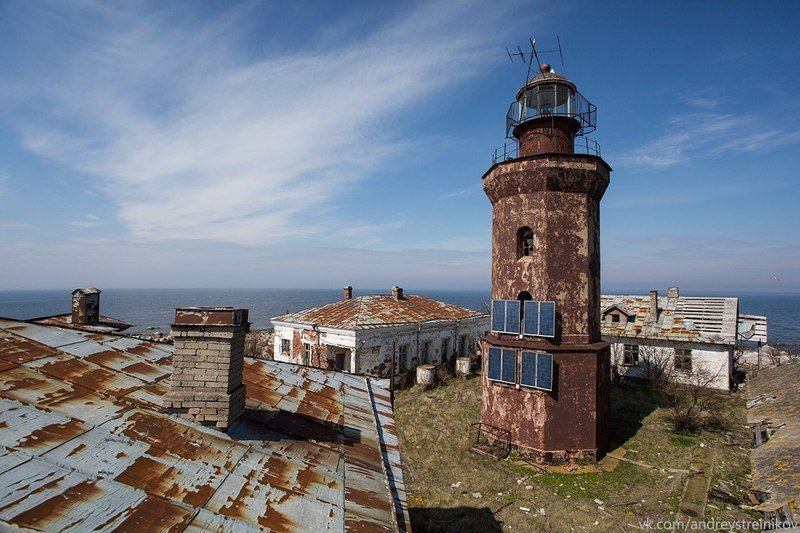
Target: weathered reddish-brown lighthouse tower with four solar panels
x,y
546,378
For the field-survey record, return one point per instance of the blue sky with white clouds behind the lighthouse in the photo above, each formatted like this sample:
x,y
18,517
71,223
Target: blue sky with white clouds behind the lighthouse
x,y
309,144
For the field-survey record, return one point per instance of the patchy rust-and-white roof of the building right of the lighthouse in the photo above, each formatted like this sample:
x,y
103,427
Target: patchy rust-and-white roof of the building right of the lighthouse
x,y
684,319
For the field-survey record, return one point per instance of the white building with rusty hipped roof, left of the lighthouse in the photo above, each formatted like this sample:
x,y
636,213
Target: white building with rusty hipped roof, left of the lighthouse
x,y
361,335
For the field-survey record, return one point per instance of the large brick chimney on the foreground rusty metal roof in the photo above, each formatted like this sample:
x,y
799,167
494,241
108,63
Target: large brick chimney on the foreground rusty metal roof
x,y
208,360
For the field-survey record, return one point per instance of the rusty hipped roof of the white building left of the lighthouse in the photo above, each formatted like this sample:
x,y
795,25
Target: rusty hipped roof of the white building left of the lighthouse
x,y
365,312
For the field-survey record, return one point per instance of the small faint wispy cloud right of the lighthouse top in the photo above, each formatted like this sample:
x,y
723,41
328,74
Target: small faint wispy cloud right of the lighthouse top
x,y
706,134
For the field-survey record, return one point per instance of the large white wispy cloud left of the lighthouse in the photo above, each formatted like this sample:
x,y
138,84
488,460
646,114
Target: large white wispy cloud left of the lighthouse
x,y
196,140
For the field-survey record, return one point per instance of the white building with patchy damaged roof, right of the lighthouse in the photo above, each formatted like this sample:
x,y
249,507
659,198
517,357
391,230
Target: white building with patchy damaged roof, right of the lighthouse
x,y
688,338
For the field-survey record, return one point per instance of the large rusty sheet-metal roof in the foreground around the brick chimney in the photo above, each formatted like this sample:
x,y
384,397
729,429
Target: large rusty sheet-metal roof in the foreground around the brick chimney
x,y
84,445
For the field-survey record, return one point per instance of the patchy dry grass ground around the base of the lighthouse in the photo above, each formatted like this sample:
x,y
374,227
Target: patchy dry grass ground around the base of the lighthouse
x,y
453,489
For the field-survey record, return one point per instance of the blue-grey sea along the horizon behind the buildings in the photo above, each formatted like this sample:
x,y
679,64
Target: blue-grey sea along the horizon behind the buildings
x,y
152,310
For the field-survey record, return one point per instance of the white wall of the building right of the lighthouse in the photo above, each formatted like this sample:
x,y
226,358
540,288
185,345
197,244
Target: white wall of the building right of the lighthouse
x,y
707,361
